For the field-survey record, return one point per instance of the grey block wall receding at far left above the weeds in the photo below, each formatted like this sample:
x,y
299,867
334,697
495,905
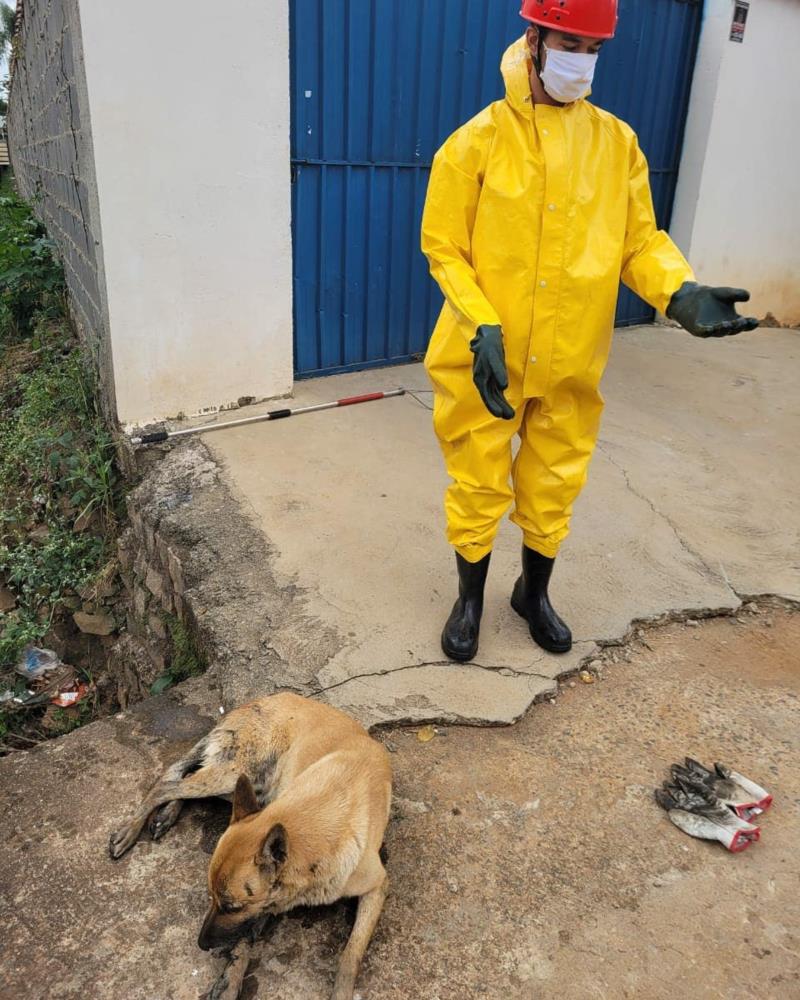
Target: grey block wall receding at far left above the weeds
x,y
51,152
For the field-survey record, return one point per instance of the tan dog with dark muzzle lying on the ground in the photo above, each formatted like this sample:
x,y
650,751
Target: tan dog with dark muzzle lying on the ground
x,y
311,796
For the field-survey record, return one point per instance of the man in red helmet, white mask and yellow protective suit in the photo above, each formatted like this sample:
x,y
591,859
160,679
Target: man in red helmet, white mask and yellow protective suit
x,y
535,210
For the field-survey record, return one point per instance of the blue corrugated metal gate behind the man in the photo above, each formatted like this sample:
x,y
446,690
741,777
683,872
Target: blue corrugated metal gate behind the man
x,y
377,85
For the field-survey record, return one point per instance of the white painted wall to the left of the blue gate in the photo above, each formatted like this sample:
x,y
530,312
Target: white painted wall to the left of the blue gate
x,y
190,117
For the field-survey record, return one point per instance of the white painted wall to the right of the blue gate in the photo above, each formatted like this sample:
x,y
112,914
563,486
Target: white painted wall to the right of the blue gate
x,y
737,214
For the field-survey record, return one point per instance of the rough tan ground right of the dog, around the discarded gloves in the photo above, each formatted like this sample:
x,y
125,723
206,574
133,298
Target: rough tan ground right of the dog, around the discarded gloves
x,y
542,866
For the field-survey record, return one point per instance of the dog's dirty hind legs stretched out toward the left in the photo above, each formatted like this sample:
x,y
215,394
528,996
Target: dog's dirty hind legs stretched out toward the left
x,y
207,770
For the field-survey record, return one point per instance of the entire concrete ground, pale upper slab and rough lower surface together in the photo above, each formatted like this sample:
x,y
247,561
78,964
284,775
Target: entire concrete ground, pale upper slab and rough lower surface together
x,y
525,862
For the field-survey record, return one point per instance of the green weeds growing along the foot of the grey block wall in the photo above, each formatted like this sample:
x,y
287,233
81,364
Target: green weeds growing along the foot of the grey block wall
x,y
59,491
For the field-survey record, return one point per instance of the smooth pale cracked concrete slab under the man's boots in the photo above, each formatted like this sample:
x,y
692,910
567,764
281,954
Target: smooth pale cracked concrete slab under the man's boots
x,y
689,505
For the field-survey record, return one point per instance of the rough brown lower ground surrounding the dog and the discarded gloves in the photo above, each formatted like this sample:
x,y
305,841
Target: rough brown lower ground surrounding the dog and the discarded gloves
x,y
528,862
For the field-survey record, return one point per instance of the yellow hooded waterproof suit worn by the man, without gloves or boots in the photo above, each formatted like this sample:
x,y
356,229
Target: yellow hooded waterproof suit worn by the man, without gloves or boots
x,y
533,215
